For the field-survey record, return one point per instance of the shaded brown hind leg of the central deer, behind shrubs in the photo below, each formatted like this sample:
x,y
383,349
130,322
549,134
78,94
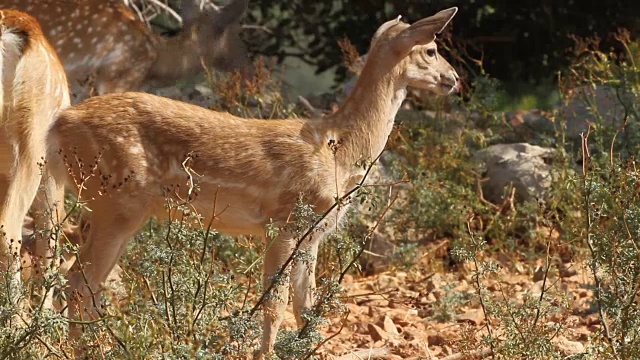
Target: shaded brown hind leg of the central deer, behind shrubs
x,y
112,224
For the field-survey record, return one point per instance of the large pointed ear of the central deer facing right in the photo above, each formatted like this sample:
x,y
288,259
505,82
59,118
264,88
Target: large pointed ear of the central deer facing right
x,y
423,31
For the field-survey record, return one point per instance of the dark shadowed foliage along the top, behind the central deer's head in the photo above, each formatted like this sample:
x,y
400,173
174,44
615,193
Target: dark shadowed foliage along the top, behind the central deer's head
x,y
518,40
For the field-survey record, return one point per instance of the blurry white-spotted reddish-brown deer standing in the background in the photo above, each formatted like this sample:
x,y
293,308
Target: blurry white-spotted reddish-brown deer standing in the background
x,y
102,43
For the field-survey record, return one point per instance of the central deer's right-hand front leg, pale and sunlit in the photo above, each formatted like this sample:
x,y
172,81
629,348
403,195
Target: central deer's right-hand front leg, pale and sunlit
x,y
303,280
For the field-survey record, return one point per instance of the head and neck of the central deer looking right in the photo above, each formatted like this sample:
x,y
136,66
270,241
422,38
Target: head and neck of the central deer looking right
x,y
400,55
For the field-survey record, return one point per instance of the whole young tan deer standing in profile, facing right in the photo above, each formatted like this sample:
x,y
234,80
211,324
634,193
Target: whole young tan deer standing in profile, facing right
x,y
254,170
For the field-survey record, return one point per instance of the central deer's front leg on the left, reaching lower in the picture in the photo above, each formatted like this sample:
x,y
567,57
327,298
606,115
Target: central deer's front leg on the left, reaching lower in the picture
x,y
276,299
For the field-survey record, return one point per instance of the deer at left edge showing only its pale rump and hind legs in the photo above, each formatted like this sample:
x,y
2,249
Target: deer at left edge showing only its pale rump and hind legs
x,y
33,89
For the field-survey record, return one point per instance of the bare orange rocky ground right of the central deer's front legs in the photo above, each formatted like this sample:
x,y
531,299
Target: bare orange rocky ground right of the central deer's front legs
x,y
418,314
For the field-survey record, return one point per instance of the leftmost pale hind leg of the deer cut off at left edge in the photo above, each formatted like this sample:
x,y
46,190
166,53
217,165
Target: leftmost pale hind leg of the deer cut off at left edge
x,y
20,155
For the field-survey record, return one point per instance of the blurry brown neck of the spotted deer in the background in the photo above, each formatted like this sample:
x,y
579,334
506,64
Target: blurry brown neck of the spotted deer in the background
x,y
178,56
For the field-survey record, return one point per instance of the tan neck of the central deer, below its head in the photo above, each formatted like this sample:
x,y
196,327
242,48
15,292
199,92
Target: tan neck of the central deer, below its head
x,y
366,117
